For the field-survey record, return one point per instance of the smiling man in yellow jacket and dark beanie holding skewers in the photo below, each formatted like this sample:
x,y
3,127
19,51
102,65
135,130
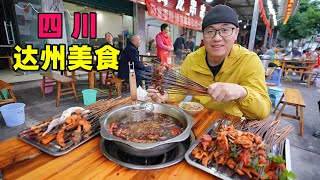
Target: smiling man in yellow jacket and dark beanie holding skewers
x,y
234,76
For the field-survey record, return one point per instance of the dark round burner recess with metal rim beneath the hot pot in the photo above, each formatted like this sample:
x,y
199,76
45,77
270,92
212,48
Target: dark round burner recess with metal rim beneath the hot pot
x,y
113,153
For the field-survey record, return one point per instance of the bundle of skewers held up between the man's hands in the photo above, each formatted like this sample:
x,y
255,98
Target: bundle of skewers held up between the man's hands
x,y
163,78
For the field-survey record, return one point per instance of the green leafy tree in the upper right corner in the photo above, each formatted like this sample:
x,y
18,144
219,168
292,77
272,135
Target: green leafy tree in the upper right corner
x,y
304,23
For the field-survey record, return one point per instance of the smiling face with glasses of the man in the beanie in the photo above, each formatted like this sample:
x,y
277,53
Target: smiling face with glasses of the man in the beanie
x,y
217,46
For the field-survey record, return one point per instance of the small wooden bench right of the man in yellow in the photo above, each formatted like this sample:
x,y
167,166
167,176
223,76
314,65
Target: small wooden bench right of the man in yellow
x,y
292,97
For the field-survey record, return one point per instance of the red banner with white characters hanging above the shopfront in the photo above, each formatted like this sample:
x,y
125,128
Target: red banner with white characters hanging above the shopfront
x,y
185,13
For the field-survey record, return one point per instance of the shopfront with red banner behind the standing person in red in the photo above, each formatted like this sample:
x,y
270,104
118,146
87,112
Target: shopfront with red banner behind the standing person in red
x,y
183,17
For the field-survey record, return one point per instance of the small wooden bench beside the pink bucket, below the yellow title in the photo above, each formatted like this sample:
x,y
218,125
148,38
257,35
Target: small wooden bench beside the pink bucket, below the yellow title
x,y
60,79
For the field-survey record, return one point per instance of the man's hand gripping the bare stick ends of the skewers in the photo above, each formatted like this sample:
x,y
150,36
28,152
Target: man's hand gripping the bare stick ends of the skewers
x,y
225,92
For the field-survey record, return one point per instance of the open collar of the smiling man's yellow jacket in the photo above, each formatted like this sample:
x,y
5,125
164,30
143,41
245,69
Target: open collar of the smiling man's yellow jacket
x,y
203,68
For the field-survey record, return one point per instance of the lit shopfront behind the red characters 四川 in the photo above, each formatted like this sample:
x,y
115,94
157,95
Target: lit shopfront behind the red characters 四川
x,y
114,16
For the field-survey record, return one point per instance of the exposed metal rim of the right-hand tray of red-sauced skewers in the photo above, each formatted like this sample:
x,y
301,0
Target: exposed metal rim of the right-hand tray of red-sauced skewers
x,y
224,172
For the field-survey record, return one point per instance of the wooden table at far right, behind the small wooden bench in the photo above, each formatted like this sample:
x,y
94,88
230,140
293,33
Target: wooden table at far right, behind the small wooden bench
x,y
306,68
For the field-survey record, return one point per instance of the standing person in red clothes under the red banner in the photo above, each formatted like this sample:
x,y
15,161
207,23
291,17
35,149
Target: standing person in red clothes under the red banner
x,y
164,45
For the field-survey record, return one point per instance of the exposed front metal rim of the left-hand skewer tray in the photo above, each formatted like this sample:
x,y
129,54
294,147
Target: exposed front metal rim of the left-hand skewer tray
x,y
53,148
